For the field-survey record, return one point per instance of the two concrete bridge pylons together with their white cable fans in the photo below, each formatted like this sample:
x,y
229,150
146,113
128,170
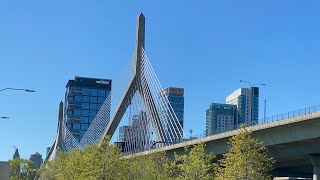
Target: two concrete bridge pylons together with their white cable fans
x,y
137,98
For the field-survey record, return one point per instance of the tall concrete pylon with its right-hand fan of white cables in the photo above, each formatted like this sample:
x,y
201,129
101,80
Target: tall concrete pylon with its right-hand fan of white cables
x,y
144,92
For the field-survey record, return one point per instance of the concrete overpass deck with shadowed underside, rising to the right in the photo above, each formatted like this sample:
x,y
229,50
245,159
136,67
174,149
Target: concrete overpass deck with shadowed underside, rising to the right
x,y
294,143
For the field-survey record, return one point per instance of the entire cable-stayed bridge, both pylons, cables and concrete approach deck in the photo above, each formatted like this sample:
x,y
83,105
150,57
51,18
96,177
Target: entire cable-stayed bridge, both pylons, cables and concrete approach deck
x,y
138,101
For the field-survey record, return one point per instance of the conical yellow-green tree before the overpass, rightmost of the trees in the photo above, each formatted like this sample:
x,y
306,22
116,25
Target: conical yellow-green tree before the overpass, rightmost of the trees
x,y
247,159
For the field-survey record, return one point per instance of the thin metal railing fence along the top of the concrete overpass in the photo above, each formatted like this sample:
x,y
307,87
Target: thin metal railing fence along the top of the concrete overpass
x,y
277,117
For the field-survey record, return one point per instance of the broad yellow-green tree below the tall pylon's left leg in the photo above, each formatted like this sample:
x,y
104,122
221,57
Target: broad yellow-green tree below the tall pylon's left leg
x,y
94,162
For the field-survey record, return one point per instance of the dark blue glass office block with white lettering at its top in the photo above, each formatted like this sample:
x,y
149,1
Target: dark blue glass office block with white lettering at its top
x,y
83,99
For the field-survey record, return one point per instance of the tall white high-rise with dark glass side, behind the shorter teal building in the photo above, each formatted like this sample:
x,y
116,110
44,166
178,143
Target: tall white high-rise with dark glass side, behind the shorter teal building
x,y
247,102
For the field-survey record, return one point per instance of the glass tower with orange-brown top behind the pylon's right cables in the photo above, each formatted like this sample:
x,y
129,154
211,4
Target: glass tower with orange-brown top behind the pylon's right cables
x,y
176,99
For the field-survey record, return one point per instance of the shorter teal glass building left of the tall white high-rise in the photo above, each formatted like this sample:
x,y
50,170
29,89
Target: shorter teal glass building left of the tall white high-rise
x,y
220,118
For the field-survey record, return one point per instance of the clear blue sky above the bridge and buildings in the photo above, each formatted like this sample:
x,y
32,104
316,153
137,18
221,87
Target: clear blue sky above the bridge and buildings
x,y
205,47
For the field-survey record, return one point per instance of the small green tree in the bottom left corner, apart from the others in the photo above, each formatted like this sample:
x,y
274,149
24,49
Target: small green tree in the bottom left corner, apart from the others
x,y
22,169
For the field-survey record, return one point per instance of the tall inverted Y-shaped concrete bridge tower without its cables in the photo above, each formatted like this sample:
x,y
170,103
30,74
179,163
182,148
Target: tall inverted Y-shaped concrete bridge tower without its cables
x,y
135,85
